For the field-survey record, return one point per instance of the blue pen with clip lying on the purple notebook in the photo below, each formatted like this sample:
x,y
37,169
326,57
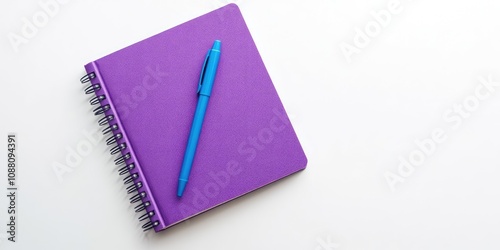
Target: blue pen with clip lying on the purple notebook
x,y
207,79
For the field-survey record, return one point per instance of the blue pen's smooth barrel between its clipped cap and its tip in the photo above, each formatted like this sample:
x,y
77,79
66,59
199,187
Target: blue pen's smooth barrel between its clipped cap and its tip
x,y
194,137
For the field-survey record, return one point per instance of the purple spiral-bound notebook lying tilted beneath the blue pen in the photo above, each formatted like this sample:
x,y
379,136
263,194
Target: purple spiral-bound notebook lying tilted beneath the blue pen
x,y
146,95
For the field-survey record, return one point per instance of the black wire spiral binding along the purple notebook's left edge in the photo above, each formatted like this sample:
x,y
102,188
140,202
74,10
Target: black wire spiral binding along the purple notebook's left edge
x,y
120,147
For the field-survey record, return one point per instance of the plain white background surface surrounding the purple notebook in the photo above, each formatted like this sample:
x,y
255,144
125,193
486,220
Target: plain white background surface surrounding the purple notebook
x,y
354,121
